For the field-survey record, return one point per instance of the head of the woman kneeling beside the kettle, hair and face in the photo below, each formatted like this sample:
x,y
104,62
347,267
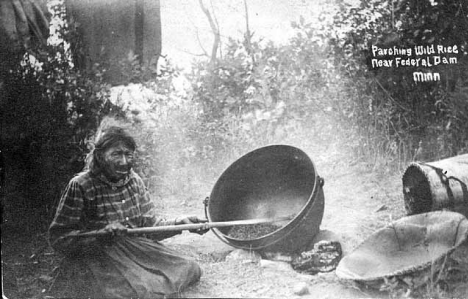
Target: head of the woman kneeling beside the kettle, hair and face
x,y
113,154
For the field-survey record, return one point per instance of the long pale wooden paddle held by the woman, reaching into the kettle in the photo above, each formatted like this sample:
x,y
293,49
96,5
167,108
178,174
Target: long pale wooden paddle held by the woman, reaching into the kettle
x,y
168,228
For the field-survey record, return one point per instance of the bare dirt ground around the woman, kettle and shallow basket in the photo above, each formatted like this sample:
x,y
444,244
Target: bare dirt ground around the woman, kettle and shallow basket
x,y
358,201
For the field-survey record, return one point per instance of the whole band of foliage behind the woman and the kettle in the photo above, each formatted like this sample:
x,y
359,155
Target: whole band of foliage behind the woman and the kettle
x,y
316,91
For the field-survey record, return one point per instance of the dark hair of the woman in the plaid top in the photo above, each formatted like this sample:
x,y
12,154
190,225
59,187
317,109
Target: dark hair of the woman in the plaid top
x,y
108,138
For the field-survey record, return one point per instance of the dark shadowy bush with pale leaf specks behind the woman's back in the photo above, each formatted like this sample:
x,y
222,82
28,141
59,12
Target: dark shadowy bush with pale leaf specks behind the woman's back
x,y
49,111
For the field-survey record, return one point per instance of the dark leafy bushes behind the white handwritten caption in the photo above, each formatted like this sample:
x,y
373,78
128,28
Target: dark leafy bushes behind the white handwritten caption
x,y
392,112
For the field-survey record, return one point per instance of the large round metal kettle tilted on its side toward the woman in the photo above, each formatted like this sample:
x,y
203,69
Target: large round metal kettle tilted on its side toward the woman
x,y
273,181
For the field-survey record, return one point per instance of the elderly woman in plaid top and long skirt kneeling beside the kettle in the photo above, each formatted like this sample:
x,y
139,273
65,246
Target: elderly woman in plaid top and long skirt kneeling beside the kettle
x,y
110,196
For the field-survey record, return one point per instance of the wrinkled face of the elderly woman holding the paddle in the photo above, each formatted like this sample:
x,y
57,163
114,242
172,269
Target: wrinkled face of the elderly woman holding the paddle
x,y
118,161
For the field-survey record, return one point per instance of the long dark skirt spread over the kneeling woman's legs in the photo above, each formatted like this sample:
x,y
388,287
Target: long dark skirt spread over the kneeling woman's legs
x,y
128,268
